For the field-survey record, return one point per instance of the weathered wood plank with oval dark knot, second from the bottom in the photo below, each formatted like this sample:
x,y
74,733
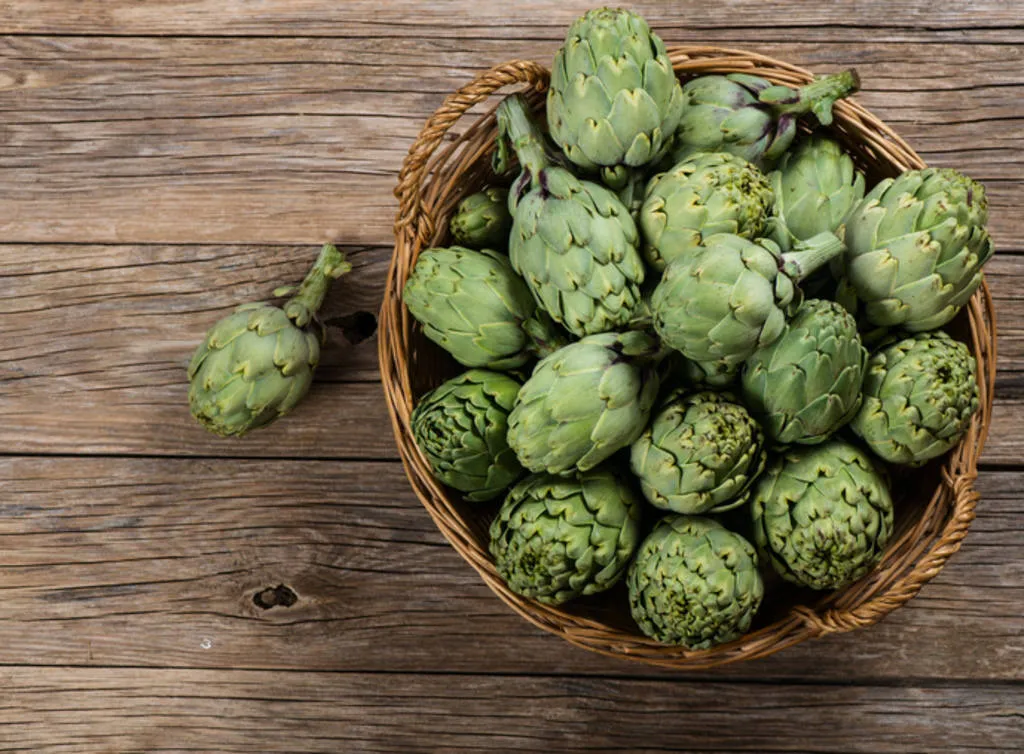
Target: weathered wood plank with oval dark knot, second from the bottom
x,y
158,562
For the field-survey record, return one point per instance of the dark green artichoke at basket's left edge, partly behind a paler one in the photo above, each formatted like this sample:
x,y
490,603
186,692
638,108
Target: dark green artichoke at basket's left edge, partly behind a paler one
x,y
461,428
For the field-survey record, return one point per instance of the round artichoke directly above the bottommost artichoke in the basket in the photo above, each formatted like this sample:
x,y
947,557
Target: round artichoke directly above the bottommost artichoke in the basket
x,y
700,454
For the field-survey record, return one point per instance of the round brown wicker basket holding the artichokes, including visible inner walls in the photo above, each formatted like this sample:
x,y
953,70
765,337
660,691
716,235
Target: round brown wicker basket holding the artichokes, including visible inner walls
x,y
441,170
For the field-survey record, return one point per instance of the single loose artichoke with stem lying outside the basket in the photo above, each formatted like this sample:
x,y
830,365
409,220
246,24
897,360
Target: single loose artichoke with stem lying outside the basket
x,y
258,364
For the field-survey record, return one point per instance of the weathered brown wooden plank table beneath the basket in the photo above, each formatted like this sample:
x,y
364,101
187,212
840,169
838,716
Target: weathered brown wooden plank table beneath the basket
x,y
165,591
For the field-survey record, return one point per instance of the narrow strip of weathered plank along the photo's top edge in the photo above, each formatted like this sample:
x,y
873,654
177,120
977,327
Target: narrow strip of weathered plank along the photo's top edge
x,y
530,19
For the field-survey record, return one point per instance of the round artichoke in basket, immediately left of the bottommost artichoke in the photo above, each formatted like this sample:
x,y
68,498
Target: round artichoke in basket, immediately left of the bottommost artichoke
x,y
558,538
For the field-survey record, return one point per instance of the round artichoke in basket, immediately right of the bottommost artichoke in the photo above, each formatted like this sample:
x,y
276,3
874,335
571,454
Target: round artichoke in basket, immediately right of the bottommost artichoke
x,y
823,515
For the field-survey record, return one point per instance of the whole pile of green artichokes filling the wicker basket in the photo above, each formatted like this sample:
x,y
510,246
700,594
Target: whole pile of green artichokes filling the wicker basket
x,y
664,305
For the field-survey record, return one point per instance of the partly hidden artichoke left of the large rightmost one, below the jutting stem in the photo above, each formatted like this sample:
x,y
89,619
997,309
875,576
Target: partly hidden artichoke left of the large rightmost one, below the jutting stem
x,y
817,187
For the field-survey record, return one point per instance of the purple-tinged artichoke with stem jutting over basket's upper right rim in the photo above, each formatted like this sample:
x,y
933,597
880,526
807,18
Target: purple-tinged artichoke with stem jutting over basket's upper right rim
x,y
751,117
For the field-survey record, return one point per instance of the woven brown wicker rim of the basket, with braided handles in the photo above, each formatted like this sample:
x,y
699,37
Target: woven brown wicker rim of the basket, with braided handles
x,y
911,560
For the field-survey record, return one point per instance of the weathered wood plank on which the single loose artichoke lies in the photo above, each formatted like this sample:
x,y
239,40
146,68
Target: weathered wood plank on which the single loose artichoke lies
x,y
95,342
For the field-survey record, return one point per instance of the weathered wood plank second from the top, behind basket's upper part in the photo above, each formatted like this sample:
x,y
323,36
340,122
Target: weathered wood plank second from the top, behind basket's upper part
x,y
292,141
